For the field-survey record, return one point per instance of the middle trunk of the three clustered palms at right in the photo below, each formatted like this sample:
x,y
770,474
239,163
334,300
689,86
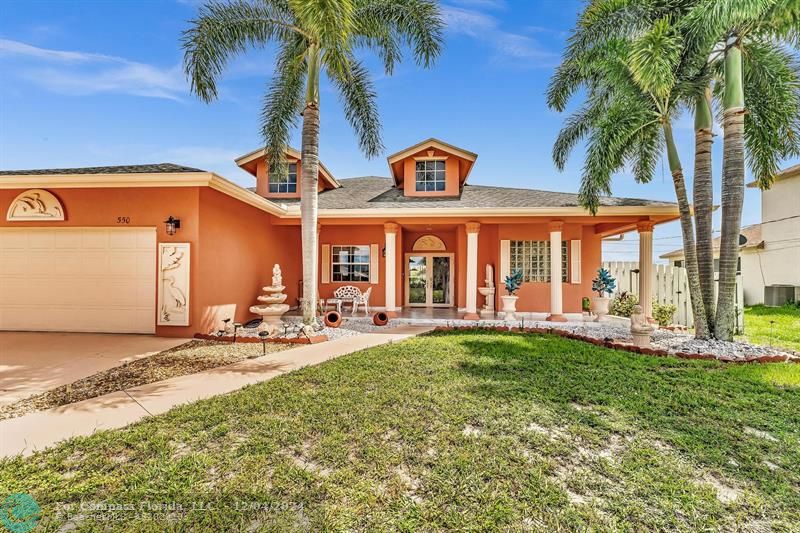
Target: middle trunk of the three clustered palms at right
x,y
704,203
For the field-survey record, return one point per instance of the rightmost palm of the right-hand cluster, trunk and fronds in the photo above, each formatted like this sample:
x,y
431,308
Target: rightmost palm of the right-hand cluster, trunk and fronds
x,y
753,37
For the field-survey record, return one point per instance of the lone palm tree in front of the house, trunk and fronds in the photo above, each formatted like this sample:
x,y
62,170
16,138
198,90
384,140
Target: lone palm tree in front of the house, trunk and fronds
x,y
312,37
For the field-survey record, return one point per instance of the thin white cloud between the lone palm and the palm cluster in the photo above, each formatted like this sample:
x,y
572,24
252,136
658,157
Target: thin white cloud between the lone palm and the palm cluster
x,y
506,45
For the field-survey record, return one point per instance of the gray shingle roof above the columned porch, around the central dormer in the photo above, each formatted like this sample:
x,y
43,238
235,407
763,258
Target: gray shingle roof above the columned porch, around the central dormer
x,y
375,192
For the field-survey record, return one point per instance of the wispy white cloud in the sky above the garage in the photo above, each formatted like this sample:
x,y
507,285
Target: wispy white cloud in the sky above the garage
x,y
69,72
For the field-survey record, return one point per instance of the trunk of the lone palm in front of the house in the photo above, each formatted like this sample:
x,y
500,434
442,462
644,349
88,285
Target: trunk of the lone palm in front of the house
x,y
308,188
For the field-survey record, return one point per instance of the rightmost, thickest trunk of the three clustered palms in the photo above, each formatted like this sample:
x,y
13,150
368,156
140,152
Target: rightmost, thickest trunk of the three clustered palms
x,y
732,189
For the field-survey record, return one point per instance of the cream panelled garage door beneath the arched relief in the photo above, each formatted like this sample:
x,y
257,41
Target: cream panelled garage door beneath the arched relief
x,y
78,279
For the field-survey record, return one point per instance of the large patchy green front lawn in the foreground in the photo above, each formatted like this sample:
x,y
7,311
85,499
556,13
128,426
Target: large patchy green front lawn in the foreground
x,y
463,430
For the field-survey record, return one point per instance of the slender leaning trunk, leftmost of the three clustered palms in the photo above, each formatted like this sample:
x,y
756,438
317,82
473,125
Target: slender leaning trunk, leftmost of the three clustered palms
x,y
687,229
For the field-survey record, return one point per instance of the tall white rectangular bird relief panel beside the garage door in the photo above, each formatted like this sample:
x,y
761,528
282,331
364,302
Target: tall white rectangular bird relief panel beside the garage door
x,y
173,284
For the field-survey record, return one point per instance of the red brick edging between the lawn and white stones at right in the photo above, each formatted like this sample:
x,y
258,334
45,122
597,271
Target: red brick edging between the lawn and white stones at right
x,y
627,347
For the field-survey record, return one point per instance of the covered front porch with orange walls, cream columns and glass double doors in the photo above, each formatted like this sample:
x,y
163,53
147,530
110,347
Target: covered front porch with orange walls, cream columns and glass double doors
x,y
437,268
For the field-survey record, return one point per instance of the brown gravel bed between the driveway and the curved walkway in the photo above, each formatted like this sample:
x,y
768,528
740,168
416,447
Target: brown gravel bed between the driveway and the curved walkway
x,y
190,358
